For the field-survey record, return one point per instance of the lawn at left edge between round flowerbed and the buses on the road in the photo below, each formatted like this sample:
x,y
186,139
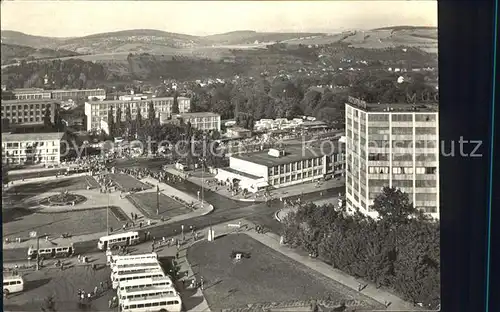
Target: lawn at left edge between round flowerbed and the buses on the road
x,y
18,222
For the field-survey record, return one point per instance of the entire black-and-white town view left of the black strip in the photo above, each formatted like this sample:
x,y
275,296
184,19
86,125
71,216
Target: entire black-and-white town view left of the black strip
x,y
231,156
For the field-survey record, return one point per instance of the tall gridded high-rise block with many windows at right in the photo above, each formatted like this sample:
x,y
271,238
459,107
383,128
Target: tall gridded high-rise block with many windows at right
x,y
395,145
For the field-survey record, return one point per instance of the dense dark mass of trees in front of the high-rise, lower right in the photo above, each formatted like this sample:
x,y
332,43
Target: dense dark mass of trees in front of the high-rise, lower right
x,y
399,251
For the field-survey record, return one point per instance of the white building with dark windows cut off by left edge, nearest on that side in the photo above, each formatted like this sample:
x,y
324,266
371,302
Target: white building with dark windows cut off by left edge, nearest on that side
x,y
32,148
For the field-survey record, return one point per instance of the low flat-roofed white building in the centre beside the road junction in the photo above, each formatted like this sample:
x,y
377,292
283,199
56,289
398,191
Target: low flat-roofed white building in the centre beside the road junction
x,y
283,167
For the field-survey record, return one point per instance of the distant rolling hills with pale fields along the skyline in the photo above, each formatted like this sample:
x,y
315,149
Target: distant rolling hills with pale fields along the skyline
x,y
161,42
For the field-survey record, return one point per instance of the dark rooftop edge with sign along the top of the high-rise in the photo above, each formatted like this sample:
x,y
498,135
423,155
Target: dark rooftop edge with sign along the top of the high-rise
x,y
392,107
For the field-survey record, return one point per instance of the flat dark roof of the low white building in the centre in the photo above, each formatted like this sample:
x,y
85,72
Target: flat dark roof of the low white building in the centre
x,y
293,153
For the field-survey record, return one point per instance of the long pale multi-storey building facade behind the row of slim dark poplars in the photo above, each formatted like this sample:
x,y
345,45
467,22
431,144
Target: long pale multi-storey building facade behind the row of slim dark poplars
x,y
97,111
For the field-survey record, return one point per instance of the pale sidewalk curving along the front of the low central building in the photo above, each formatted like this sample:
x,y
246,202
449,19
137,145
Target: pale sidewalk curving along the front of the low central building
x,y
284,192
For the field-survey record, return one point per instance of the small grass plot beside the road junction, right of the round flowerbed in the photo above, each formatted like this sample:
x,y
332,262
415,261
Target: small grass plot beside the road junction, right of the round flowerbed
x,y
146,202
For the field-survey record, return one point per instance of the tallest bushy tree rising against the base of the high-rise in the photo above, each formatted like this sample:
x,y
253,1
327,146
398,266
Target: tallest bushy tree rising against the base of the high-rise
x,y
394,206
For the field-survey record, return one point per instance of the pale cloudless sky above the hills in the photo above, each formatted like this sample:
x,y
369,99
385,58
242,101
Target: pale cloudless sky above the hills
x,y
80,18
